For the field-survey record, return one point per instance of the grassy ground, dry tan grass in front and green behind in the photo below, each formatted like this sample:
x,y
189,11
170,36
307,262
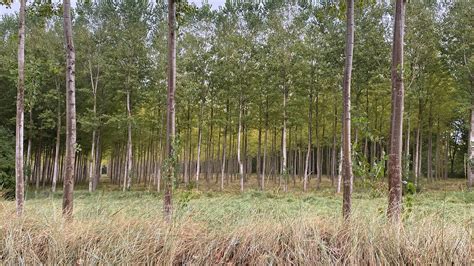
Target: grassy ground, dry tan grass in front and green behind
x,y
254,227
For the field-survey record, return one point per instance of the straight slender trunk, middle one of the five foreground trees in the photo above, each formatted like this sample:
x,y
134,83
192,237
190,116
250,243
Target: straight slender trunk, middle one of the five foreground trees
x,y
170,118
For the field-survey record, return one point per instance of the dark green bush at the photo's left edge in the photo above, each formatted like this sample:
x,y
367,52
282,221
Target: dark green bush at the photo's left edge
x,y
7,163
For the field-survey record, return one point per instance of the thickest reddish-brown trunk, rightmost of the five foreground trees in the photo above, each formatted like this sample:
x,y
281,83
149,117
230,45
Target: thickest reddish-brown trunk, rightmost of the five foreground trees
x,y
394,162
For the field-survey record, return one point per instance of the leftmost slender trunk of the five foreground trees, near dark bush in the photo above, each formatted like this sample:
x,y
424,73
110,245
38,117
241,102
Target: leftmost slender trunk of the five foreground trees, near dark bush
x,y
20,114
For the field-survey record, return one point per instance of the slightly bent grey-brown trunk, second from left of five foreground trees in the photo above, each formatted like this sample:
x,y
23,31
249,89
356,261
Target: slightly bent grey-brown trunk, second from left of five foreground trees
x,y
70,112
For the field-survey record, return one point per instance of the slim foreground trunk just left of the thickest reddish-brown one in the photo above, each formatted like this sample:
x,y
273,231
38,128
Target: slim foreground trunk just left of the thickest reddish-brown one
x,y
346,126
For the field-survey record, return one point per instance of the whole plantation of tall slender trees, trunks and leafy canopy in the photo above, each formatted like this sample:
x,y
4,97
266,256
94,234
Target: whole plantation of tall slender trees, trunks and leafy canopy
x,y
164,95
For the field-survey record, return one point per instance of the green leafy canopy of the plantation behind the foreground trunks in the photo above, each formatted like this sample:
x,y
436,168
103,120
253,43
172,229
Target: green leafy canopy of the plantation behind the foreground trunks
x,y
247,55
